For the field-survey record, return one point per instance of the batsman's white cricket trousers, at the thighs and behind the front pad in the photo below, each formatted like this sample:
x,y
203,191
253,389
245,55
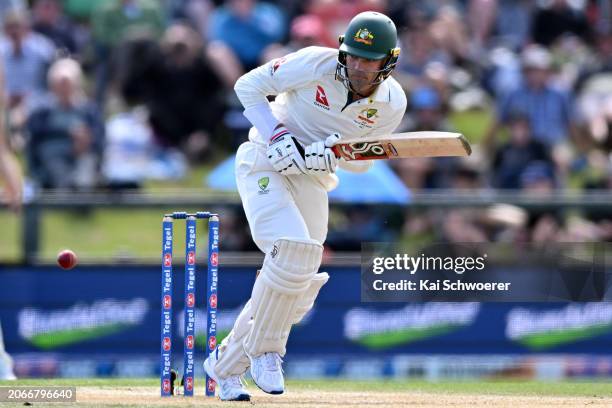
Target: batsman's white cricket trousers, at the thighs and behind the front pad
x,y
276,206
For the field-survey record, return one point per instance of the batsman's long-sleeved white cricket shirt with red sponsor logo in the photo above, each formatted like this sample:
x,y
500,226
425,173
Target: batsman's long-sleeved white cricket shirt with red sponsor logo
x,y
313,104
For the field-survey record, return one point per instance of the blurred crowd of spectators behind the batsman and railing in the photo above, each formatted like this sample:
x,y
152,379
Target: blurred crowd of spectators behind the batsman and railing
x,y
106,94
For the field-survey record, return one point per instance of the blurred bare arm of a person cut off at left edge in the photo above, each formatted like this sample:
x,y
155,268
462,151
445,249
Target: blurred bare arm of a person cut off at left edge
x,y
10,171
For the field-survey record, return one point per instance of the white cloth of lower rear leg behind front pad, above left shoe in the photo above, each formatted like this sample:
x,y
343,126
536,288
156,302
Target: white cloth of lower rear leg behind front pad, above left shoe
x,y
232,359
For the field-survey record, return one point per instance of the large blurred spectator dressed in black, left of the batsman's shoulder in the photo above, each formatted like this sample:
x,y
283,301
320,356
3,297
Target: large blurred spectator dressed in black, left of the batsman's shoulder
x,y
181,90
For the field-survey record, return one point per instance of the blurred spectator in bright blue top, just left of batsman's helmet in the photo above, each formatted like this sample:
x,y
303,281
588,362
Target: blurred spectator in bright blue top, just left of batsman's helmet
x,y
247,27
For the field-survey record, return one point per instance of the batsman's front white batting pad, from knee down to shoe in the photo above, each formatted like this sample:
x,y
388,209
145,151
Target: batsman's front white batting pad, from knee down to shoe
x,y
285,277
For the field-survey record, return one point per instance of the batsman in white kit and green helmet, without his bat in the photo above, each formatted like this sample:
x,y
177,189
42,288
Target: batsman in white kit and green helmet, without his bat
x,y
284,173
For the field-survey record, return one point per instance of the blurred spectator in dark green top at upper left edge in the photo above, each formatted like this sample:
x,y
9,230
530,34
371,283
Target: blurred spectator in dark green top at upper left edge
x,y
114,22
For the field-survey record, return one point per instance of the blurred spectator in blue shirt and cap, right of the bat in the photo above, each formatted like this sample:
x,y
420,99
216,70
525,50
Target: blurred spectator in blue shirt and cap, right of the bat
x,y
550,111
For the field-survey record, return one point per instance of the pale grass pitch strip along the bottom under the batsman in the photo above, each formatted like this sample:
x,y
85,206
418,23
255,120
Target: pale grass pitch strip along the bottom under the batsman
x,y
342,393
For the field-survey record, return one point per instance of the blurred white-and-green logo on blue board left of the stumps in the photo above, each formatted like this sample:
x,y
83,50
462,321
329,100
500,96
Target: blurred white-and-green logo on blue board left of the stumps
x,y
48,329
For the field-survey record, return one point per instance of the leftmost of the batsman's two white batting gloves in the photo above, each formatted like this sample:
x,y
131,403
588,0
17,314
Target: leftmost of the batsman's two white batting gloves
x,y
285,153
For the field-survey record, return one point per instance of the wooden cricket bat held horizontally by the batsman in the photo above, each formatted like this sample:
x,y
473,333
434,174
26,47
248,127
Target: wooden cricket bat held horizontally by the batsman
x,y
403,145
